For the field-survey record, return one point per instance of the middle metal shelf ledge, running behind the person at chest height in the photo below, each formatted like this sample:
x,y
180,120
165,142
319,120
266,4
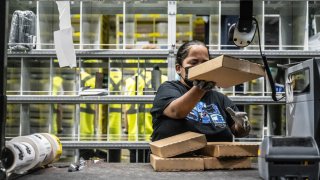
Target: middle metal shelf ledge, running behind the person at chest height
x,y
121,99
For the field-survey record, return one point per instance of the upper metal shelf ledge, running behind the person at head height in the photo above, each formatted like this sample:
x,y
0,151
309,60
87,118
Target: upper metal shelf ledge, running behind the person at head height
x,y
165,52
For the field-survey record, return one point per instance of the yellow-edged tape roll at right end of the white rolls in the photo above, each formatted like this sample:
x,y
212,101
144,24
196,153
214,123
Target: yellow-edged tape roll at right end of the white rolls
x,y
56,147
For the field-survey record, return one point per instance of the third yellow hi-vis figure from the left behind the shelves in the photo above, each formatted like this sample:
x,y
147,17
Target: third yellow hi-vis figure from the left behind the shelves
x,y
114,113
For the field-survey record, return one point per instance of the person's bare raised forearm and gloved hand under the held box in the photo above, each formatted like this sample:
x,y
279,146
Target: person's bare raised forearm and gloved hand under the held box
x,y
182,106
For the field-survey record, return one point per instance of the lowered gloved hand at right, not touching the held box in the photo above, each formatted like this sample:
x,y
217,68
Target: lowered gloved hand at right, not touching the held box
x,y
241,126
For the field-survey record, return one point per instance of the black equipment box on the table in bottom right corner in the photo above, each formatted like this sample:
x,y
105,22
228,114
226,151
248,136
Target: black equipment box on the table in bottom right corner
x,y
288,158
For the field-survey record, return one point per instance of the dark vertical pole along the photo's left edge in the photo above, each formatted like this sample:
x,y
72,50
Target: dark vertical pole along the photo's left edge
x,y
3,68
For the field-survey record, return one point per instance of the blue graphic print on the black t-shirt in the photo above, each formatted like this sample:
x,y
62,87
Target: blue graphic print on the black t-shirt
x,y
207,114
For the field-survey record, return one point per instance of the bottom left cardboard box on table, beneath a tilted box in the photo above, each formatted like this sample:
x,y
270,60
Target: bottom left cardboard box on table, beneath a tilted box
x,y
177,164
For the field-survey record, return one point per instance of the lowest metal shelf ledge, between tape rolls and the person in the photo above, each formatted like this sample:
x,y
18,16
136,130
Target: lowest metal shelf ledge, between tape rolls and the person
x,y
105,144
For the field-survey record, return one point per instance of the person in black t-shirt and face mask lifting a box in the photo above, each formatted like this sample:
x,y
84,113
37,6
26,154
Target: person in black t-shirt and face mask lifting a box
x,y
184,105
